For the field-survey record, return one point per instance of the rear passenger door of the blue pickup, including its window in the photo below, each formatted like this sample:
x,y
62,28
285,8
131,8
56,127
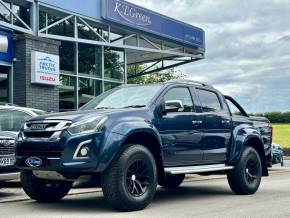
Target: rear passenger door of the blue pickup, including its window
x,y
217,125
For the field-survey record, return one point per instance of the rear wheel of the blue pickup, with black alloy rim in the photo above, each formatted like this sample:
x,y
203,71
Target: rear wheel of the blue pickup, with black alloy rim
x,y
245,178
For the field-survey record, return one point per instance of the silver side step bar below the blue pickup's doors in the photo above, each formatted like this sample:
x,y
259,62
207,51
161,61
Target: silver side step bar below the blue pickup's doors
x,y
197,169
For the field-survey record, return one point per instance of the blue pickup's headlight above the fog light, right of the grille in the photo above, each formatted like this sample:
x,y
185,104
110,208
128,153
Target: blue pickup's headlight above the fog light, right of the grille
x,y
87,126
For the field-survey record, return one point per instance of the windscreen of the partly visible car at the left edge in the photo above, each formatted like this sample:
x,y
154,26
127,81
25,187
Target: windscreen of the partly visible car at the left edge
x,y
12,120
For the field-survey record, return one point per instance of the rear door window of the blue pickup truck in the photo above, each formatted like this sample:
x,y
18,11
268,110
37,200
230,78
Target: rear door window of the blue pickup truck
x,y
209,101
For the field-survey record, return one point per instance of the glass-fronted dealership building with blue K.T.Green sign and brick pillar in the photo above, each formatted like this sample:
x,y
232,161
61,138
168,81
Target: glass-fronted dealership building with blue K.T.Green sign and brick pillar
x,y
57,55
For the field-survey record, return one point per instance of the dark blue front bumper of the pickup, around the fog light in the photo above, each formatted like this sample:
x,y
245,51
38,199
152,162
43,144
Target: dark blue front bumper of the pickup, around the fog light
x,y
59,155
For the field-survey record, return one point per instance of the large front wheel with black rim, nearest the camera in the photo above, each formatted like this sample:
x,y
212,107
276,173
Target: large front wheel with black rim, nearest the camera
x,y
118,181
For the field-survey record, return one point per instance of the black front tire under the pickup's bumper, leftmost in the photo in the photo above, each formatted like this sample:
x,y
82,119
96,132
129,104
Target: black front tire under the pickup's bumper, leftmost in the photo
x,y
43,190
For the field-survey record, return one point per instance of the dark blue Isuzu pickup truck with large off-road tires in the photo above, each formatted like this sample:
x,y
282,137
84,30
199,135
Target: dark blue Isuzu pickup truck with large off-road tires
x,y
135,137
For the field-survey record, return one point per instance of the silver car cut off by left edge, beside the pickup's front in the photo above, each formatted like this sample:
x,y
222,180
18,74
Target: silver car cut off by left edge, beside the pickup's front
x,y
11,120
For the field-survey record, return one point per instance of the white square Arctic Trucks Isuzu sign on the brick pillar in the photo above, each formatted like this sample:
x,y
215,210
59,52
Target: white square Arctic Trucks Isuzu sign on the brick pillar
x,y
44,68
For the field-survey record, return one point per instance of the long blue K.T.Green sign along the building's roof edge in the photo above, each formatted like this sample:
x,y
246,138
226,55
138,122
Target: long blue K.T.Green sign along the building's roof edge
x,y
128,14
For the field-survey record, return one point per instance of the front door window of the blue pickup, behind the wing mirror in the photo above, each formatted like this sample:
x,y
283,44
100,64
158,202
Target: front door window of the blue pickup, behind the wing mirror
x,y
183,95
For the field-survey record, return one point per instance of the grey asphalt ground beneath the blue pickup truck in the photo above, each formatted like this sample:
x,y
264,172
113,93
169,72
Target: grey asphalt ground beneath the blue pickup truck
x,y
197,197
